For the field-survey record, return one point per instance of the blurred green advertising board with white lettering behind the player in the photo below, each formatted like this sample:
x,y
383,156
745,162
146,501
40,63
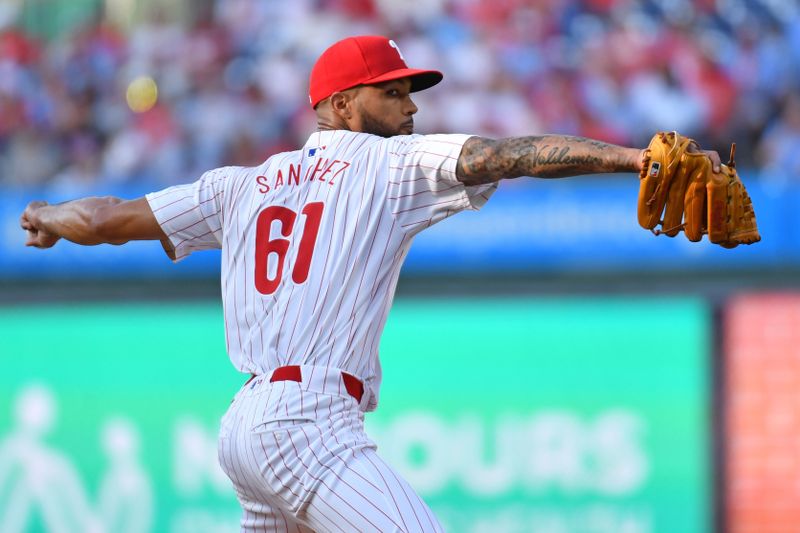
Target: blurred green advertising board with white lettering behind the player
x,y
559,416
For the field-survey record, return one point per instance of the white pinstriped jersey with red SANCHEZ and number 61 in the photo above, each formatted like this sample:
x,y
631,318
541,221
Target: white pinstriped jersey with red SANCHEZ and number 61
x,y
313,241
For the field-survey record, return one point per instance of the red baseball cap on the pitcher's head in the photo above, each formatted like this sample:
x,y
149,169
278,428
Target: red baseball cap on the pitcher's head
x,y
363,60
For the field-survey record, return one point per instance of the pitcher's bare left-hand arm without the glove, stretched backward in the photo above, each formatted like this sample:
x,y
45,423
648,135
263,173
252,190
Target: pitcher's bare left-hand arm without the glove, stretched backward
x,y
90,221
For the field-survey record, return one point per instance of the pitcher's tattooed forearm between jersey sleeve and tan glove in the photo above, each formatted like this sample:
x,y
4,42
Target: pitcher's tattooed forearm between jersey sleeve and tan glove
x,y
548,156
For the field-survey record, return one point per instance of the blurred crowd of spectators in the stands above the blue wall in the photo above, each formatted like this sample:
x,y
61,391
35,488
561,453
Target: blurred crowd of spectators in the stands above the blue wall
x,y
232,80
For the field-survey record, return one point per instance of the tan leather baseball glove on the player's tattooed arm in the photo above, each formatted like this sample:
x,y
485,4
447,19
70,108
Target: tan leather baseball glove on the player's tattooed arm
x,y
677,181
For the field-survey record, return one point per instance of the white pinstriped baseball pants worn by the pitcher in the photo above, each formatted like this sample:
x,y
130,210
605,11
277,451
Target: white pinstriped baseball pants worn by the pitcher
x,y
300,461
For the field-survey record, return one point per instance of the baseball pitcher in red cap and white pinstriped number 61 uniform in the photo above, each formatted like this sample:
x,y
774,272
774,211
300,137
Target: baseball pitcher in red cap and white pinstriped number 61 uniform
x,y
312,244
